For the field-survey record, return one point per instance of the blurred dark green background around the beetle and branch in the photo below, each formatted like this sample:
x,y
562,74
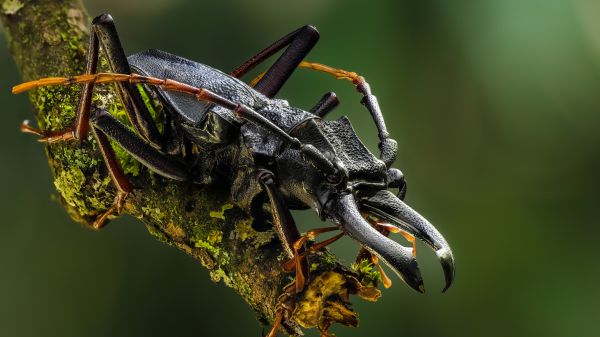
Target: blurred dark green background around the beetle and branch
x,y
495,105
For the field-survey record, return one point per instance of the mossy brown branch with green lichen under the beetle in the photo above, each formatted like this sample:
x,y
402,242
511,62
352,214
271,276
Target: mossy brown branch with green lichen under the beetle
x,y
49,38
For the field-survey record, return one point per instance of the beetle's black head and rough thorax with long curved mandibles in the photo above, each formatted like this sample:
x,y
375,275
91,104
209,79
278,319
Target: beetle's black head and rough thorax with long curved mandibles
x,y
359,189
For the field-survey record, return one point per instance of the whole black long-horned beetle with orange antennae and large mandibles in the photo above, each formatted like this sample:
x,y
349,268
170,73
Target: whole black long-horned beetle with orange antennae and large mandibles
x,y
219,127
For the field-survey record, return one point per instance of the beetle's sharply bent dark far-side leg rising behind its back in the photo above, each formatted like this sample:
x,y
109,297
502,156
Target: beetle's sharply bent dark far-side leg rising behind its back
x,y
299,42
